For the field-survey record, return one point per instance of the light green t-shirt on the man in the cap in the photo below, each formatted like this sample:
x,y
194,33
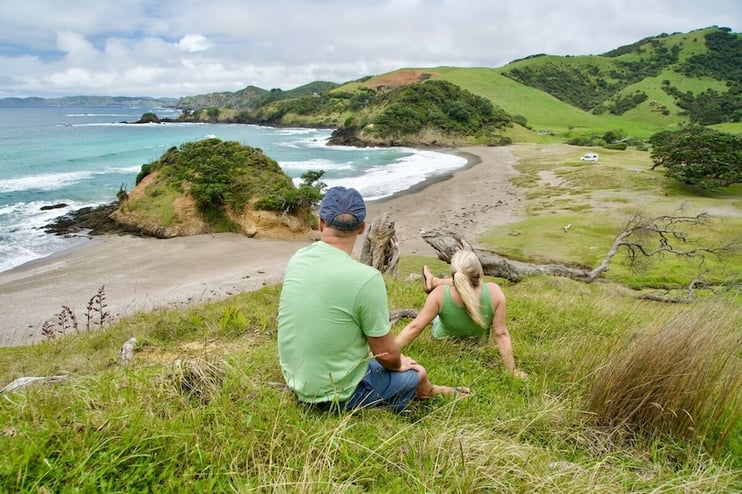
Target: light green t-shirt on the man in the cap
x,y
329,303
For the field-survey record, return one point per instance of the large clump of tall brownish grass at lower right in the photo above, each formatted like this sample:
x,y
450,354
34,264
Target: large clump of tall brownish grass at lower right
x,y
680,377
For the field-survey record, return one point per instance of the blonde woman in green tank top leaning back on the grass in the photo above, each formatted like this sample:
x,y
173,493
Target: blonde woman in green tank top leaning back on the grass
x,y
463,306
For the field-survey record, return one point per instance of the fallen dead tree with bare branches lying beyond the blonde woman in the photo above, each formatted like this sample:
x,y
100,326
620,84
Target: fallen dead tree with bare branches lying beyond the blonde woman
x,y
641,237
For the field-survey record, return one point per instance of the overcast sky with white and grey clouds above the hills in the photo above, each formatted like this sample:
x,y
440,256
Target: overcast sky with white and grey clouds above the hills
x,y
186,47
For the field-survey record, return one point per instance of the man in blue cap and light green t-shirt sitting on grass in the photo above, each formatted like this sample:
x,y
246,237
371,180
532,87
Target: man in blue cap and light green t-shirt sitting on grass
x,y
332,311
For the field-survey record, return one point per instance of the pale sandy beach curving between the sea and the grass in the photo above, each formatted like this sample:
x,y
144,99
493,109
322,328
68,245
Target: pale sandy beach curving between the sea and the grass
x,y
140,274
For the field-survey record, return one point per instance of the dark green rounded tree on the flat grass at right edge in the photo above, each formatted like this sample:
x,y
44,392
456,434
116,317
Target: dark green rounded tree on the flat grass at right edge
x,y
699,156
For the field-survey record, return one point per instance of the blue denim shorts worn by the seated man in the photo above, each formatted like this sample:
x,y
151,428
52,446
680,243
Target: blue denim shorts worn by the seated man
x,y
379,388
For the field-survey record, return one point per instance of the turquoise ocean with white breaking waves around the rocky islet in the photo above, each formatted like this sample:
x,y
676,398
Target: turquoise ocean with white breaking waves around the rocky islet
x,y
82,156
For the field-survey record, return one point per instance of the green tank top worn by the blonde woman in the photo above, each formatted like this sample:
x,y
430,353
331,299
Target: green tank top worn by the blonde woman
x,y
454,322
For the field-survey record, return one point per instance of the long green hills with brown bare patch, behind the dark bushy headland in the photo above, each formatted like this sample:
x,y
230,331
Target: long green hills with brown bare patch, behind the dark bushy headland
x,y
657,83
